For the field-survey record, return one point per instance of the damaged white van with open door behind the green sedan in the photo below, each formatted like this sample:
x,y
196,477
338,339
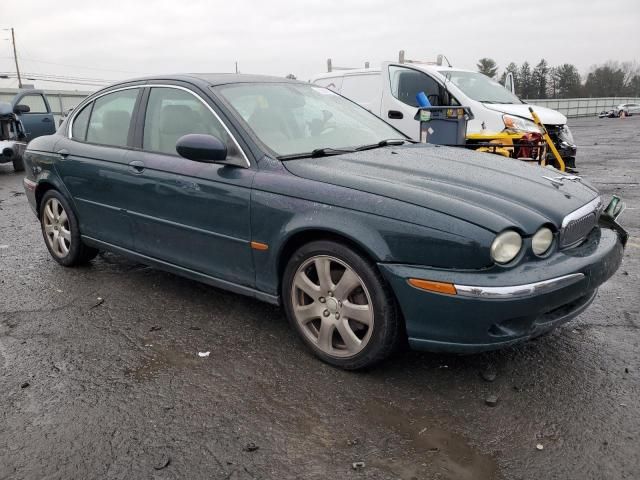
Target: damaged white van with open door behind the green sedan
x,y
391,93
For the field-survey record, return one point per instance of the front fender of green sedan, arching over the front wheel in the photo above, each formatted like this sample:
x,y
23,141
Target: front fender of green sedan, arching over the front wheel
x,y
277,218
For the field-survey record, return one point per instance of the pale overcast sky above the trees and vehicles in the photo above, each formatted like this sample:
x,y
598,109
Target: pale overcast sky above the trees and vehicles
x,y
112,40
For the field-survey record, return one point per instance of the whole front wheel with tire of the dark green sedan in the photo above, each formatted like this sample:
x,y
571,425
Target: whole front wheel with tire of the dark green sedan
x,y
348,317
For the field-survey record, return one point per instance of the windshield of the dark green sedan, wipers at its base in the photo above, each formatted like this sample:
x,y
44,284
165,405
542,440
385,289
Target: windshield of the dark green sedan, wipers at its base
x,y
297,119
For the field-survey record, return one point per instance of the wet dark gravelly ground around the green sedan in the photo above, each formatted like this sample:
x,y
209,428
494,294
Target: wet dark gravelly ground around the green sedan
x,y
100,377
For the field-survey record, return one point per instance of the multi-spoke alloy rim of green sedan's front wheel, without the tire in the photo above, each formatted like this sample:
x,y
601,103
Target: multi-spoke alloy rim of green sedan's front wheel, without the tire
x,y
332,306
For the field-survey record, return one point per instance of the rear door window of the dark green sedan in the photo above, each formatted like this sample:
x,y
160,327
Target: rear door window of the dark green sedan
x,y
111,118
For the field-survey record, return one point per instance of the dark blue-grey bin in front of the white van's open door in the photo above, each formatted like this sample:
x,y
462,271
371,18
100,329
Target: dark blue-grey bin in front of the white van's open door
x,y
443,125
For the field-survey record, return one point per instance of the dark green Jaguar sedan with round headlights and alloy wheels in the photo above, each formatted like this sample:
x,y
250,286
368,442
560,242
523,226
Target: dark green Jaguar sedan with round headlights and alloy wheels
x,y
292,194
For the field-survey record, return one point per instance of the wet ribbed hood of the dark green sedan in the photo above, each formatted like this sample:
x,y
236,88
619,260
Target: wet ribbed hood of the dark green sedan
x,y
481,188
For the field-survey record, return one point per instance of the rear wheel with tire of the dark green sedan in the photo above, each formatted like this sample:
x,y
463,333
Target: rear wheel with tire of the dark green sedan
x,y
61,233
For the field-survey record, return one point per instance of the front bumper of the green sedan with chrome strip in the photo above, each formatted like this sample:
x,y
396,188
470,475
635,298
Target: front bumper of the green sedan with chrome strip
x,y
499,307
